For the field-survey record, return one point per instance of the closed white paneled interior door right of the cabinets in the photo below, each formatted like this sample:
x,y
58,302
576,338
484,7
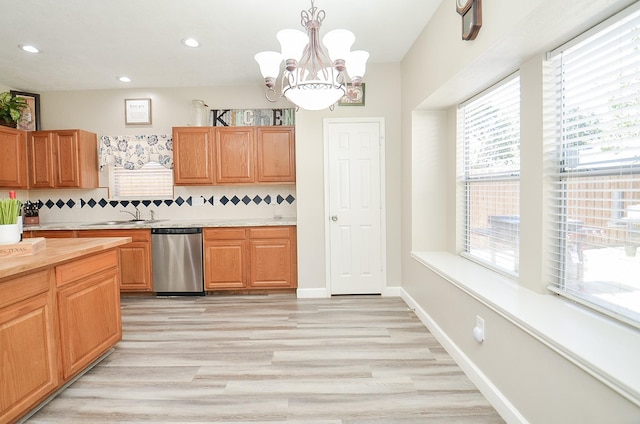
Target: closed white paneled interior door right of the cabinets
x,y
354,193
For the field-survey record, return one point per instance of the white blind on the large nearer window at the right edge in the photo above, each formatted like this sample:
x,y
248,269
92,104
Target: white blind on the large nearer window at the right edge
x,y
596,198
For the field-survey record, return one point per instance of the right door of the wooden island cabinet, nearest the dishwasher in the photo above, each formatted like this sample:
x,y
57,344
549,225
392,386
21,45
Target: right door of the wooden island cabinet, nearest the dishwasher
x,y
89,320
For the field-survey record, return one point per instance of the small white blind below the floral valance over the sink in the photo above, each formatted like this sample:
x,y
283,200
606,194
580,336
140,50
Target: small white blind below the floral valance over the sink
x,y
152,181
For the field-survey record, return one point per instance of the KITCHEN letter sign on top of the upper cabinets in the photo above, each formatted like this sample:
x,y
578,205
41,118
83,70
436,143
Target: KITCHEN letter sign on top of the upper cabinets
x,y
252,117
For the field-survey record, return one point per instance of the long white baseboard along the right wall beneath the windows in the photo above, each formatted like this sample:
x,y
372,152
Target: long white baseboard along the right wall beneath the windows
x,y
505,408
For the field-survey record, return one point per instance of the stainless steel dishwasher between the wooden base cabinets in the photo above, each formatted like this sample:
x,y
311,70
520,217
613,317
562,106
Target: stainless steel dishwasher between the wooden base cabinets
x,y
177,261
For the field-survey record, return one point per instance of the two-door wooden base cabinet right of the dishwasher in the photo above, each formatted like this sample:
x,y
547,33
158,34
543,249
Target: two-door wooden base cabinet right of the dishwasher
x,y
250,258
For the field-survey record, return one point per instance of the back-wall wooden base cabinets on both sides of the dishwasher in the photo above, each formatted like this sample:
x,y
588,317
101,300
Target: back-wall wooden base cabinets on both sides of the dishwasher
x,y
235,258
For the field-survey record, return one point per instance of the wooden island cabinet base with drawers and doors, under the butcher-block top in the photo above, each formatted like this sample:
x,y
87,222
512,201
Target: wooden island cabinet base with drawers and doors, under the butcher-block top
x,y
54,322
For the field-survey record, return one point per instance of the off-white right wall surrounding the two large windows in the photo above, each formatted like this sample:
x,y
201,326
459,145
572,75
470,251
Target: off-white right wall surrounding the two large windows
x,y
539,384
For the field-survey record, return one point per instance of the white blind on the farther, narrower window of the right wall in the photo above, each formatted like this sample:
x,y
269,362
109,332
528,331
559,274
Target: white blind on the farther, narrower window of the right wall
x,y
489,137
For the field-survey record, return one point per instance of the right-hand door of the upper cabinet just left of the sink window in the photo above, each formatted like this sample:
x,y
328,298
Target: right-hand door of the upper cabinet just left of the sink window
x,y
67,165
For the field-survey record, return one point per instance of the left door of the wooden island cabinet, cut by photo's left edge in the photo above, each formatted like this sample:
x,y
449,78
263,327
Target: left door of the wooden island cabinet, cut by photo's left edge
x,y
28,354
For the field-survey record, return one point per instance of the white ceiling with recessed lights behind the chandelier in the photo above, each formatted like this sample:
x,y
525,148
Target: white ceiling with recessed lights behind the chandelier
x,y
86,44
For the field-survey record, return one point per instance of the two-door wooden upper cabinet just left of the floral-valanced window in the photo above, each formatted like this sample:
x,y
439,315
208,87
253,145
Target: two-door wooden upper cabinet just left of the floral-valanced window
x,y
63,158
